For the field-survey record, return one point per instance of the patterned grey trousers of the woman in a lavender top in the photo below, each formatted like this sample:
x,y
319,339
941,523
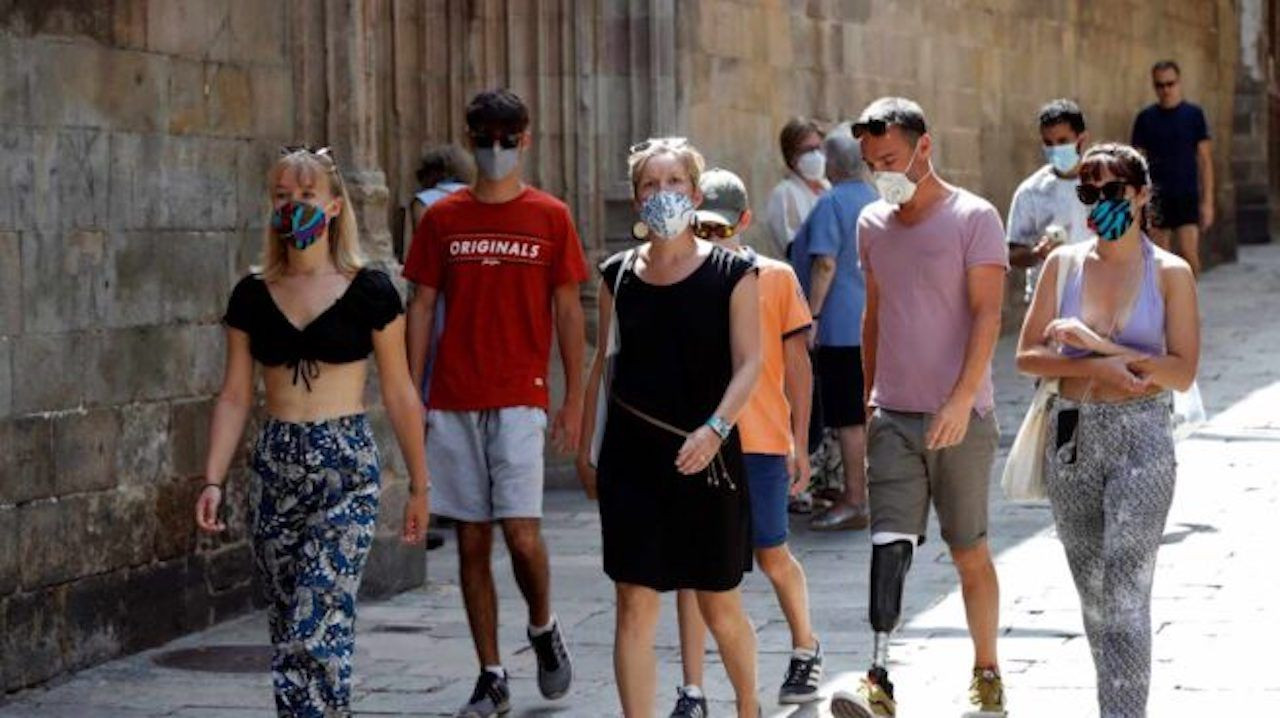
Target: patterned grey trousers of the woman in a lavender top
x,y
1110,483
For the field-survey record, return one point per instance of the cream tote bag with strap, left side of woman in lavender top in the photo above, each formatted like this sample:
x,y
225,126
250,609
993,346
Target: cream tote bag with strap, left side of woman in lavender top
x,y
1023,479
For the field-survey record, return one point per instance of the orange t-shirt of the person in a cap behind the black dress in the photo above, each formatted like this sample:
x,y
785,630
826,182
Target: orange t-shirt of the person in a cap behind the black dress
x,y
766,423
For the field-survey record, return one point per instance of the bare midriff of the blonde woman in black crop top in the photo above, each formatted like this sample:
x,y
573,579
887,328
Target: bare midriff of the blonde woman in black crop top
x,y
337,391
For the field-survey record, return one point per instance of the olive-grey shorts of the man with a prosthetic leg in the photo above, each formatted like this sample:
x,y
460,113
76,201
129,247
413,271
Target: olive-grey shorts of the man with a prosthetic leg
x,y
903,477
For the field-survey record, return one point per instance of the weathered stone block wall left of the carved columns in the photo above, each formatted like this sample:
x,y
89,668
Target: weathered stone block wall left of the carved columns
x,y
135,140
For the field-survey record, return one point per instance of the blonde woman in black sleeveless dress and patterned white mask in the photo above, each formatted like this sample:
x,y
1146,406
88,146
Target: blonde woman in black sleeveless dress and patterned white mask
x,y
674,504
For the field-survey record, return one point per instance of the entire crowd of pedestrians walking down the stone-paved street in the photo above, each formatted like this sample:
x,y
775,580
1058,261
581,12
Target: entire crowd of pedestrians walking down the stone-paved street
x,y
839,367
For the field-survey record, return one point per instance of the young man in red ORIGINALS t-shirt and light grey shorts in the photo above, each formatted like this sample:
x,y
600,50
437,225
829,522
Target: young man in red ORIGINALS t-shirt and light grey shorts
x,y
506,259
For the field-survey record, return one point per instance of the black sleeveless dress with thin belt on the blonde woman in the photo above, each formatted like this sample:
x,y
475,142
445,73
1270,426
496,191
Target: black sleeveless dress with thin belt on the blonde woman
x,y
662,529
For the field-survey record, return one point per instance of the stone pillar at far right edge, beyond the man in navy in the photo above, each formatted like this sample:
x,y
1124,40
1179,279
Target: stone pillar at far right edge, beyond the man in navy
x,y
1251,149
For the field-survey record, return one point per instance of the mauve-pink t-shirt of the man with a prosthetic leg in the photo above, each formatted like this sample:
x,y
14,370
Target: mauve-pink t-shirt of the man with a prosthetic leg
x,y
924,318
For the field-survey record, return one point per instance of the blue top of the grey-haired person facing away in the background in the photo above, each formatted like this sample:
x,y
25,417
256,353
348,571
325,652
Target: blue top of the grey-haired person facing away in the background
x,y
831,231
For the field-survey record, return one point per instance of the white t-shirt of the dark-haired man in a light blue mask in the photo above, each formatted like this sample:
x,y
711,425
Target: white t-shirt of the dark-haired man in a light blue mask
x,y
1041,200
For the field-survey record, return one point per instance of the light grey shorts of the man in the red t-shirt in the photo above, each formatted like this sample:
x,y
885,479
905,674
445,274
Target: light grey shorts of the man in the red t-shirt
x,y
487,465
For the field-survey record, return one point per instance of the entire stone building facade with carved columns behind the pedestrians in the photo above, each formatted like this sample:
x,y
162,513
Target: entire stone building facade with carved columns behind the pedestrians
x,y
135,138
